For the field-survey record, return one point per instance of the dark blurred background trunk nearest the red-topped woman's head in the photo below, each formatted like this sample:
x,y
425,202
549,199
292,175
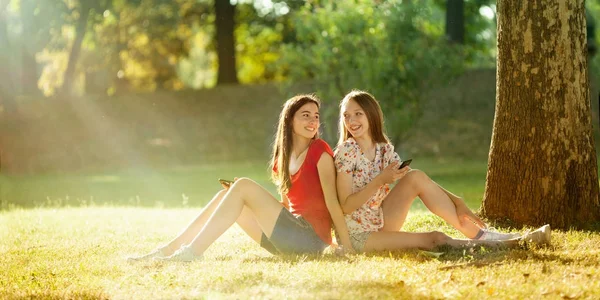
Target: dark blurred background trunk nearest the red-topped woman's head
x,y
225,23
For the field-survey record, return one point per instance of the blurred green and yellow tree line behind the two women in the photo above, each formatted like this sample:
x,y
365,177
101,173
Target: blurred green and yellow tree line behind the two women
x,y
392,48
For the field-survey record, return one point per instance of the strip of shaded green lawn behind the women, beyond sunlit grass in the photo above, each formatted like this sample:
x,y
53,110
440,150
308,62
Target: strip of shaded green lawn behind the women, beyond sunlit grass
x,y
189,186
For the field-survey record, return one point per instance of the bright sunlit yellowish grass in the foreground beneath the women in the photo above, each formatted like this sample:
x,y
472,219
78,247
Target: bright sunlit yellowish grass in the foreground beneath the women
x,y
79,253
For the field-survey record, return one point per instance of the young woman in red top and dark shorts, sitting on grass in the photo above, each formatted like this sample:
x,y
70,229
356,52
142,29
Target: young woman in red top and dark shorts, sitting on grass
x,y
303,169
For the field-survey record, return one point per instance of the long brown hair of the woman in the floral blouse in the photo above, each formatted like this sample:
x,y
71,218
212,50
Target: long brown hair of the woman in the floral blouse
x,y
373,112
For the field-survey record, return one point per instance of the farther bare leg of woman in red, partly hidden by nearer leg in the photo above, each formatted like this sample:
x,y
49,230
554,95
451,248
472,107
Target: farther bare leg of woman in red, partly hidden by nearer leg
x,y
246,221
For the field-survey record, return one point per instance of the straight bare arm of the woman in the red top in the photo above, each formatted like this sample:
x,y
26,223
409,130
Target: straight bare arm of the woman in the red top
x,y
327,177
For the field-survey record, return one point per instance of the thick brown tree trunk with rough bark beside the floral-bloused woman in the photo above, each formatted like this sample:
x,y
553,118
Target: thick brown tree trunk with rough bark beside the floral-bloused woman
x,y
542,163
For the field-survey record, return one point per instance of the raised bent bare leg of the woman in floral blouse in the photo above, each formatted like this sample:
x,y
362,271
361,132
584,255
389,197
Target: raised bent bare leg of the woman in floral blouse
x,y
416,183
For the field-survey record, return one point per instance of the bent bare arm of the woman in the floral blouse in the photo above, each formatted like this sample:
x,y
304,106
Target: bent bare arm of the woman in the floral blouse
x,y
351,202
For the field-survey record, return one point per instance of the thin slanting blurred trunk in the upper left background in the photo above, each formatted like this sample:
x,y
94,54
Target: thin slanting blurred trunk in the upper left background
x,y
80,31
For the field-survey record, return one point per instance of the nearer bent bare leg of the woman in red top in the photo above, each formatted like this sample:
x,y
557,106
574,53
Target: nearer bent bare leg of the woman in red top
x,y
243,193
